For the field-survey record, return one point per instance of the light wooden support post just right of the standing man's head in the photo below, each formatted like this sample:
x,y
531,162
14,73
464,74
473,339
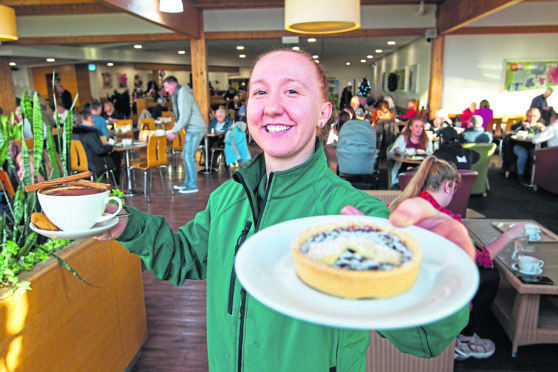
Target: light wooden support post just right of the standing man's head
x,y
198,50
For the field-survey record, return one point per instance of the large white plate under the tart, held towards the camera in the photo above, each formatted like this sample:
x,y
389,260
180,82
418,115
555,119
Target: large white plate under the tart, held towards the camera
x,y
447,281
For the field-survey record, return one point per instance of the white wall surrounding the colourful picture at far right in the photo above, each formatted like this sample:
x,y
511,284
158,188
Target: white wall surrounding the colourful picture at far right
x,y
474,69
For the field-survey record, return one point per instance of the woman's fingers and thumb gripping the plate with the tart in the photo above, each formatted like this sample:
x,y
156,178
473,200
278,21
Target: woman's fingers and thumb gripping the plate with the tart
x,y
419,212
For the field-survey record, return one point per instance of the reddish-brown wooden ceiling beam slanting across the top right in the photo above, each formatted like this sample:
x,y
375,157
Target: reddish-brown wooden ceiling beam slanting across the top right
x,y
455,14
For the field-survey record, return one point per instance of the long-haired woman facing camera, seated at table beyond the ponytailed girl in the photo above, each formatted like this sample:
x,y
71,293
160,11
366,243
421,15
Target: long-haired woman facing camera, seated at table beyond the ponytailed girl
x,y
413,136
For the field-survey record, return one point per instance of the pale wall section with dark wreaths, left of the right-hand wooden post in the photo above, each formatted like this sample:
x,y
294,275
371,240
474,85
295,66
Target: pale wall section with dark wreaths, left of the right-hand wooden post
x,y
415,53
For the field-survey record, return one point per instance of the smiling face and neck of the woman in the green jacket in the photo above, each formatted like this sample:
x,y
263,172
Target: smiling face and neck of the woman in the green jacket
x,y
285,107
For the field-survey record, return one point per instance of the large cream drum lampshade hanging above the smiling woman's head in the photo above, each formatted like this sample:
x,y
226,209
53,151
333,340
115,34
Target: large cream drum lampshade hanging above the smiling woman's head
x,y
322,16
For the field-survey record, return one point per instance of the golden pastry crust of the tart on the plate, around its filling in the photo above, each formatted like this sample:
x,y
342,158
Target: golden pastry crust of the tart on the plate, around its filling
x,y
354,283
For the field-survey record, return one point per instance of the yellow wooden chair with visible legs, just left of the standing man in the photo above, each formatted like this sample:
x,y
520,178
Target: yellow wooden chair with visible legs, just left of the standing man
x,y
156,158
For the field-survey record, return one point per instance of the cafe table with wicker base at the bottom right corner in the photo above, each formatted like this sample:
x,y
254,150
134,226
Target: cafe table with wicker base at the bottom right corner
x,y
528,313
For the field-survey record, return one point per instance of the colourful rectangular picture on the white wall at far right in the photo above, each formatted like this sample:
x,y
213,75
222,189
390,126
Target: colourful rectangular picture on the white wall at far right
x,y
530,75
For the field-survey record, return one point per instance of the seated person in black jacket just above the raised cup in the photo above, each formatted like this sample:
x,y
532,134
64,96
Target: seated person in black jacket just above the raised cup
x,y
100,157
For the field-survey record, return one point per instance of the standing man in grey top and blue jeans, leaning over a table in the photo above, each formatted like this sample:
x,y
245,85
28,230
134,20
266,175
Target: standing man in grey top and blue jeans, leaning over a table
x,y
187,116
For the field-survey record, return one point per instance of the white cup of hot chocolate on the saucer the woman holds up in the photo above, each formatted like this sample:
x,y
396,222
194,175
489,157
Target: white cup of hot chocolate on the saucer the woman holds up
x,y
76,208
